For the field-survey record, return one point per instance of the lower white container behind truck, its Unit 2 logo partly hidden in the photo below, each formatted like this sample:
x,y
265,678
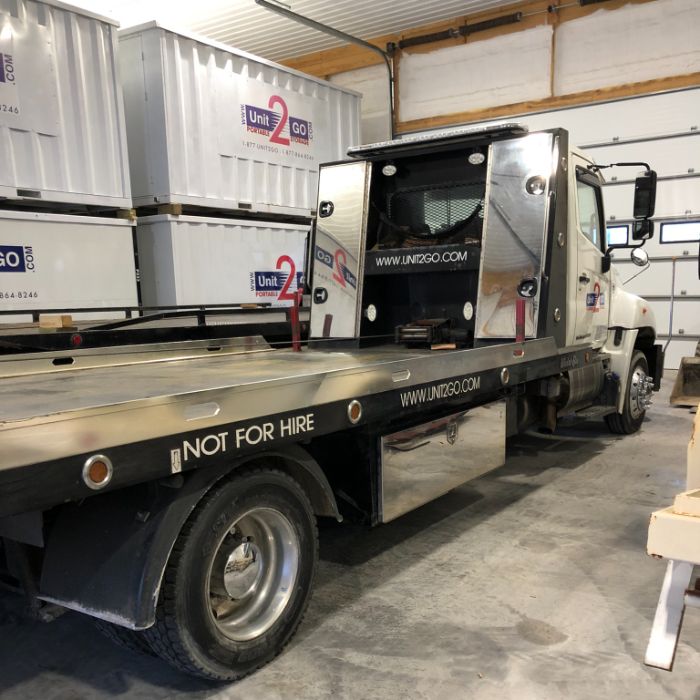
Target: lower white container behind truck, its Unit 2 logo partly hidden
x,y
198,260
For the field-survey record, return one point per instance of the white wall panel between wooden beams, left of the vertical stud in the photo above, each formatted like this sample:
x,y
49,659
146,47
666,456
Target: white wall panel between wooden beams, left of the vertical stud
x,y
476,75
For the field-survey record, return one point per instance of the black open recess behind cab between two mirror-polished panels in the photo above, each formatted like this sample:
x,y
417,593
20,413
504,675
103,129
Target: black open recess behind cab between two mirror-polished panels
x,y
426,217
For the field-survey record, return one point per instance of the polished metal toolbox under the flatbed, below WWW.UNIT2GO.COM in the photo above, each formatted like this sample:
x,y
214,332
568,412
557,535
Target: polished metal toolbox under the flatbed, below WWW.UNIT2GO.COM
x,y
420,463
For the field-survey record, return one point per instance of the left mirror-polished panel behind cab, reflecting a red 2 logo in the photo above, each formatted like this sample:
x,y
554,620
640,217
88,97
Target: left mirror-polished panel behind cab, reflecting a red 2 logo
x,y
339,250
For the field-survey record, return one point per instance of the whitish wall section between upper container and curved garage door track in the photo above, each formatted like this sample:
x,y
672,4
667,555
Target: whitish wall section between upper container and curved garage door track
x,y
373,84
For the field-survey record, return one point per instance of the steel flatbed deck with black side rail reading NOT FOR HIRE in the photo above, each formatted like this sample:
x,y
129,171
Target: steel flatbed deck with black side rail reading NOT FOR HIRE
x,y
162,410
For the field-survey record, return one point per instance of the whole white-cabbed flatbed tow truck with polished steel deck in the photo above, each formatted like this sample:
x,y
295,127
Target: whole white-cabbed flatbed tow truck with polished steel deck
x,y
460,291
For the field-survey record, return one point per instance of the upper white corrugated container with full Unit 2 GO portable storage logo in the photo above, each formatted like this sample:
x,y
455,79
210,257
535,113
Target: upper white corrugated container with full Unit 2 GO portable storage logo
x,y
213,126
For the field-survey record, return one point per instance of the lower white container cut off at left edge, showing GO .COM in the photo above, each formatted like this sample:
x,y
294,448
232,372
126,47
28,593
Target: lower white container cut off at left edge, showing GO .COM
x,y
57,261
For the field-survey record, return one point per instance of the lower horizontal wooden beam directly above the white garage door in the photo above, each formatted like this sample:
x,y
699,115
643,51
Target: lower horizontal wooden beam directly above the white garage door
x,y
572,100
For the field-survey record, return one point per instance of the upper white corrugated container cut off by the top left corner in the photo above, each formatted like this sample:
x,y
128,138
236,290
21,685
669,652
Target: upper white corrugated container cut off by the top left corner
x,y
62,134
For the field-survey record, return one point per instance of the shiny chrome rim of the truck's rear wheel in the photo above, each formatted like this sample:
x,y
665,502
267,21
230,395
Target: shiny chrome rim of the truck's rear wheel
x,y
253,573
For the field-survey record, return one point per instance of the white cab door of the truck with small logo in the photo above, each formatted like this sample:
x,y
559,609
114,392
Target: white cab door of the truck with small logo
x,y
587,278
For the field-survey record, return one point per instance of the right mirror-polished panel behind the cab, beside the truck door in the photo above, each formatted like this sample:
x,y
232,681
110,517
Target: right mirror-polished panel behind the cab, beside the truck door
x,y
515,229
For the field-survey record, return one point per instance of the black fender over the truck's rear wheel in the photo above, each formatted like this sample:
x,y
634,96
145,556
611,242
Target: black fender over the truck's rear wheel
x,y
105,557
